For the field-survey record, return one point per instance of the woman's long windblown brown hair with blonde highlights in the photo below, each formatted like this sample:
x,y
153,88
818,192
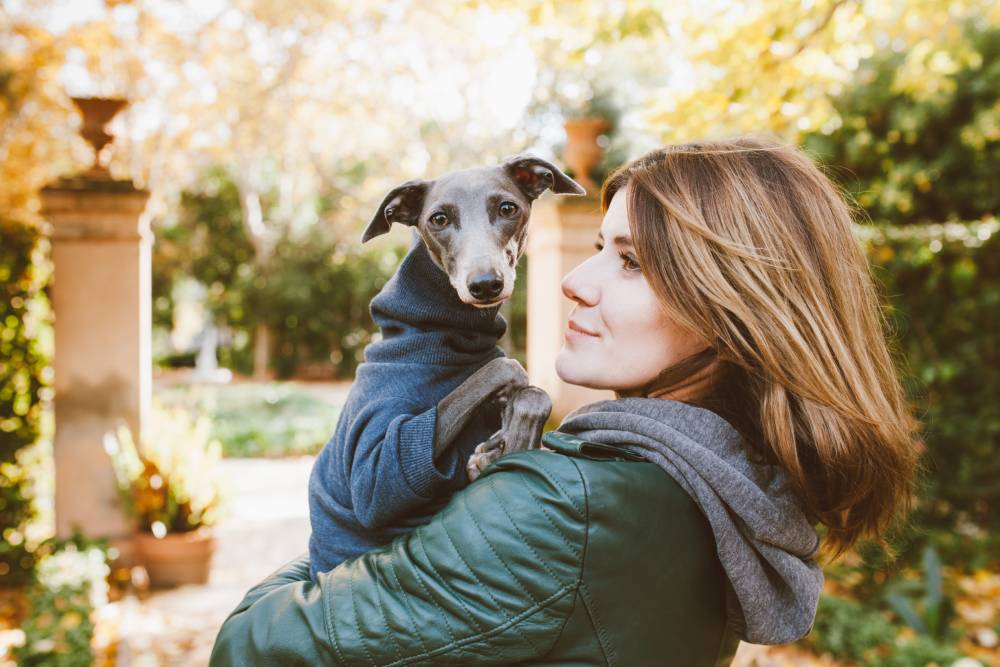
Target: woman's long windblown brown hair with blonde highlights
x,y
749,245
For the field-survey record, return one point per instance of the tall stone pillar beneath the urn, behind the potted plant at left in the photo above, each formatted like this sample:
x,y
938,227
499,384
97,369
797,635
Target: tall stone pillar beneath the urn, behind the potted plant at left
x,y
101,293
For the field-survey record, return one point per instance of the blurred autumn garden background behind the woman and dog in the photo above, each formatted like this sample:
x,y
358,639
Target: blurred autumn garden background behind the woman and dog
x,y
183,187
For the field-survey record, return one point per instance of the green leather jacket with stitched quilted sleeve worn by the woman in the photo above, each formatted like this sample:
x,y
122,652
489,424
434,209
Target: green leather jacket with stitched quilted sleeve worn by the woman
x,y
577,556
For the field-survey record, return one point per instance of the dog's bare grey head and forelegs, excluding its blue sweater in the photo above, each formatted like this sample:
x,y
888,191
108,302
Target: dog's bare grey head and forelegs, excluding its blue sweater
x,y
474,223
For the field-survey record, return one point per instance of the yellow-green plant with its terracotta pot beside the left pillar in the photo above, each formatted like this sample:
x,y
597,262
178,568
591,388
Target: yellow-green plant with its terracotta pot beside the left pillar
x,y
170,487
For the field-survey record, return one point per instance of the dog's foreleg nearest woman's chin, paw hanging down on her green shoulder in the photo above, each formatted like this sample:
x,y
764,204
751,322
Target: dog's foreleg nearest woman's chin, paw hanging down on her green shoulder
x,y
524,417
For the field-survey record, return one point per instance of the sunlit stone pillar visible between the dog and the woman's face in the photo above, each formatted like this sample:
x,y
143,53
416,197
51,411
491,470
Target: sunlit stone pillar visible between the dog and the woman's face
x,y
562,234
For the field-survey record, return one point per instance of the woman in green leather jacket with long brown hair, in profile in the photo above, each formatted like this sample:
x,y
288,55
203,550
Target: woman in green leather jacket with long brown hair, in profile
x,y
734,315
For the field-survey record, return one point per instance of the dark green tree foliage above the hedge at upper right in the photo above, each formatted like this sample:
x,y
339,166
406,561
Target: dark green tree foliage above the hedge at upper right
x,y
910,156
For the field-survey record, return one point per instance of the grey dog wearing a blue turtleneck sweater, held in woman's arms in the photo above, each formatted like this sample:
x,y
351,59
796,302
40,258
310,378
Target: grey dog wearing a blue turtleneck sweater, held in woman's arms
x,y
435,396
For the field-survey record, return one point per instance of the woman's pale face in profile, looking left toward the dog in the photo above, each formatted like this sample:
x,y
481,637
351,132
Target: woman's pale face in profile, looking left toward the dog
x,y
618,336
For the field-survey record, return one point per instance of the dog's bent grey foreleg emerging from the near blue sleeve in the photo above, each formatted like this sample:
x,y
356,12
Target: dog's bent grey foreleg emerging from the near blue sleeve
x,y
498,376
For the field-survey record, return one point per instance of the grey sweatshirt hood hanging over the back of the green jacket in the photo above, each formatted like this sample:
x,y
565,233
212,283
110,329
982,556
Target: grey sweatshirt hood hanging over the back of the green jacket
x,y
764,540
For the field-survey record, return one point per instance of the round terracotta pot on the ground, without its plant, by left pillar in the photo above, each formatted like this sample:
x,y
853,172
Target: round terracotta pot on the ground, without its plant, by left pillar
x,y
177,558
